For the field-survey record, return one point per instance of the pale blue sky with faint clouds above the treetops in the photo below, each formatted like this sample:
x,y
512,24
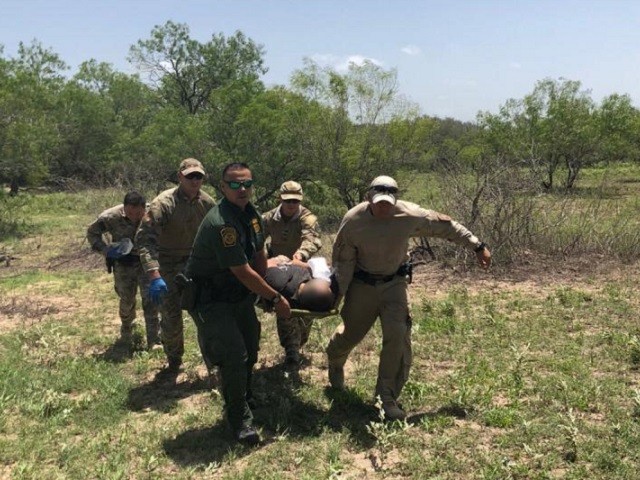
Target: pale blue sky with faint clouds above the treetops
x,y
453,58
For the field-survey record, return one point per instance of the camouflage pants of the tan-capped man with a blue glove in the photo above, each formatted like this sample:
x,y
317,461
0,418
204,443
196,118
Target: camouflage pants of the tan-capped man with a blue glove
x,y
172,326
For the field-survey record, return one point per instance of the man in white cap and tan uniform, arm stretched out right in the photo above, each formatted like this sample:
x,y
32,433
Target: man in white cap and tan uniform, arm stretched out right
x,y
368,256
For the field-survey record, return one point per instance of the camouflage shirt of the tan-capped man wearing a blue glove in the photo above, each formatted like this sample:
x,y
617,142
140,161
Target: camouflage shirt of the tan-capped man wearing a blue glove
x,y
167,231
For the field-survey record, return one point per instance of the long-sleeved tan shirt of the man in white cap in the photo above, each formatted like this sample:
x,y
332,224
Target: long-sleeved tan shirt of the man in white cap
x,y
379,246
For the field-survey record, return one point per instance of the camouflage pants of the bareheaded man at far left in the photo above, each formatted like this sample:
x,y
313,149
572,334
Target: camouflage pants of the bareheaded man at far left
x,y
128,279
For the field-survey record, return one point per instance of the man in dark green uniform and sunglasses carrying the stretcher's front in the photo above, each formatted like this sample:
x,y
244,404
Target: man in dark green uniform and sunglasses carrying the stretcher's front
x,y
227,264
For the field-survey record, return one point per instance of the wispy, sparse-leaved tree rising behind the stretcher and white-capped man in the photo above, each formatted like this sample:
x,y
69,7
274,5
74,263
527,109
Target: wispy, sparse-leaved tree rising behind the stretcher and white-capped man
x,y
361,126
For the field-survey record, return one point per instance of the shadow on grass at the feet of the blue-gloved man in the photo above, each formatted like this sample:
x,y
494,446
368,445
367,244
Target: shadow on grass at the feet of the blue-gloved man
x,y
163,392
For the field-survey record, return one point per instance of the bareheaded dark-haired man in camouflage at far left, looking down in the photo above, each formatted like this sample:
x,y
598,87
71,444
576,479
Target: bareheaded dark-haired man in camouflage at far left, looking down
x,y
121,223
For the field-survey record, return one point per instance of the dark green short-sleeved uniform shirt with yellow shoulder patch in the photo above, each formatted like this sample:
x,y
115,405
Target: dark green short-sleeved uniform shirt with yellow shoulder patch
x,y
227,237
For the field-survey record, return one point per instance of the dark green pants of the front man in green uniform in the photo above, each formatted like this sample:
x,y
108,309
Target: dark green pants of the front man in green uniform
x,y
229,337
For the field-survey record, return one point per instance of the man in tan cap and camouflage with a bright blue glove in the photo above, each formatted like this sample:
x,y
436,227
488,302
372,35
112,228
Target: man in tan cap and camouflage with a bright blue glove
x,y
164,238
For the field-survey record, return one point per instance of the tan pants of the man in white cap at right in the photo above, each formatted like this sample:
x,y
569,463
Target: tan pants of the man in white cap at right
x,y
363,304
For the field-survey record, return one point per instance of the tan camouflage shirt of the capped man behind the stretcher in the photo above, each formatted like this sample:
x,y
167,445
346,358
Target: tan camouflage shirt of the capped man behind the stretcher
x,y
299,234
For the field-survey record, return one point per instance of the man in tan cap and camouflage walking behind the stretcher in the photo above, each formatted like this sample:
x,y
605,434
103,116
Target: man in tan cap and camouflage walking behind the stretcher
x,y
294,233
